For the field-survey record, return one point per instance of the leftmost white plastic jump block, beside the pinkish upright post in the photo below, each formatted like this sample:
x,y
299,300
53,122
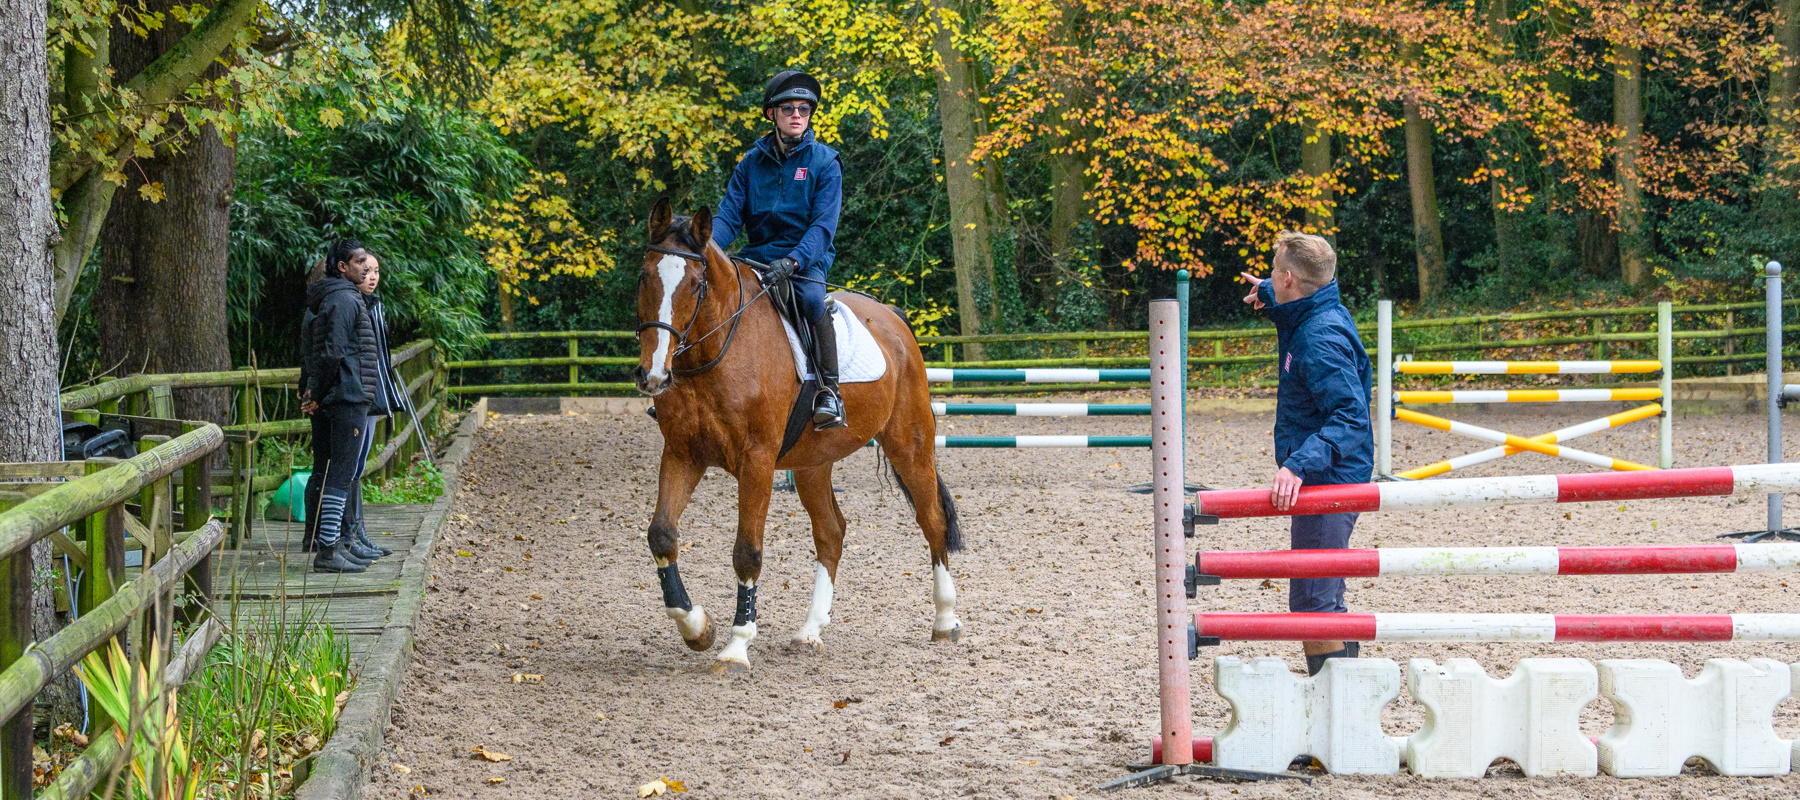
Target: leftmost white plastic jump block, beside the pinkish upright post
x,y
1333,718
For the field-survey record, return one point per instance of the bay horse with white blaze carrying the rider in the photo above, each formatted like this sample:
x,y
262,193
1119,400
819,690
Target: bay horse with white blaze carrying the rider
x,y
721,372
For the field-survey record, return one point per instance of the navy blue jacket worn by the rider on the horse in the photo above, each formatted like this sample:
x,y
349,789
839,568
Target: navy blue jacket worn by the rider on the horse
x,y
787,208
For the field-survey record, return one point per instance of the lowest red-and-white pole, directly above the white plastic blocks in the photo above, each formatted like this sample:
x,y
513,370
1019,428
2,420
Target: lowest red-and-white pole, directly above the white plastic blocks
x,y
1498,628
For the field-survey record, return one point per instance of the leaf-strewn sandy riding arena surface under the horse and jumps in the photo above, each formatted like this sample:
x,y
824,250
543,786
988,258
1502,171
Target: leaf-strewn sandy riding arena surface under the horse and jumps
x,y
544,572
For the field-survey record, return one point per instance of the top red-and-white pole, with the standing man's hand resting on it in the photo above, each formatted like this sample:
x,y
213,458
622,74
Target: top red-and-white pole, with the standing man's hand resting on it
x,y
1488,493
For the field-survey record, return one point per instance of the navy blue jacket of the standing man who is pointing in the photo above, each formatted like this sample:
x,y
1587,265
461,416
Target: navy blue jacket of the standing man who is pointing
x,y
1322,426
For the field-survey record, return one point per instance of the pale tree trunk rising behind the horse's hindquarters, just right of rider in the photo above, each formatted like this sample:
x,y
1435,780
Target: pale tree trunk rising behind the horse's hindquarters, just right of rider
x,y
969,221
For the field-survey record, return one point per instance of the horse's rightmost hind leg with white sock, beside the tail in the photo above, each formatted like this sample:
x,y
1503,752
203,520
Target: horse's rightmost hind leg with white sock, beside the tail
x,y
912,453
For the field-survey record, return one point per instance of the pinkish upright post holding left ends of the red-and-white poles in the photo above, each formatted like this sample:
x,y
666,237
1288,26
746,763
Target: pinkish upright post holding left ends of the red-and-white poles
x,y
1167,495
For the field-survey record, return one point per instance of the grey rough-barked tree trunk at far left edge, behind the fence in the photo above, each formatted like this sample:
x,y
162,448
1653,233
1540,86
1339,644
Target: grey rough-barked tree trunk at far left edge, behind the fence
x,y
30,428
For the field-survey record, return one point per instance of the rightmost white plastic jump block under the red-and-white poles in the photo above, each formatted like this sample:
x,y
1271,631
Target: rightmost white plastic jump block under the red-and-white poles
x,y
1725,716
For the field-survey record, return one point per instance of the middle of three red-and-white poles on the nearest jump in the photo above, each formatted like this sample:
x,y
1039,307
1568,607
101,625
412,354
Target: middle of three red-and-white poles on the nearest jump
x,y
1389,563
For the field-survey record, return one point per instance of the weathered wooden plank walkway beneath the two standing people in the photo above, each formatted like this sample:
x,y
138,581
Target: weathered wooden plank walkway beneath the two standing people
x,y
271,576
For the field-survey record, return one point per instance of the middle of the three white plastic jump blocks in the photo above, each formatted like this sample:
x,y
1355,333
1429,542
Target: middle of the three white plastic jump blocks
x,y
1471,720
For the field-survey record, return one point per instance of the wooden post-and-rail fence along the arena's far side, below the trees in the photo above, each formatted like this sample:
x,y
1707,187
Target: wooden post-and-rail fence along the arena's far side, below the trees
x,y
1218,358
